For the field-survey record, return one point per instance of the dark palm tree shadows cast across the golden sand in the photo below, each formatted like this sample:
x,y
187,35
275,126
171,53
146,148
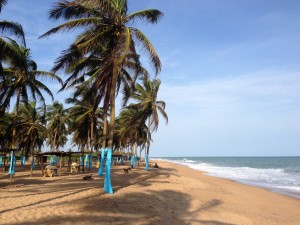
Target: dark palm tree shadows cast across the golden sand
x,y
93,206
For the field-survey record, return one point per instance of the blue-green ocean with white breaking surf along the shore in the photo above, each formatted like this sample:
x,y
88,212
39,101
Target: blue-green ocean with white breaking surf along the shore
x,y
278,174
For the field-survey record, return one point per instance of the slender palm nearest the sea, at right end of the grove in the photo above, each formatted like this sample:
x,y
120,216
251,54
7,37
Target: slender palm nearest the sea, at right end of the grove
x,y
146,96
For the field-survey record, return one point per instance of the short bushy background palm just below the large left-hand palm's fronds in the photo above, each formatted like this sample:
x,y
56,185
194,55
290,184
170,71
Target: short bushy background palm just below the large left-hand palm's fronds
x,y
32,126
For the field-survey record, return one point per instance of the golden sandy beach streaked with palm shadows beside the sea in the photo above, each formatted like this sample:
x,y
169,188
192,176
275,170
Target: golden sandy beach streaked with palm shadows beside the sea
x,y
172,194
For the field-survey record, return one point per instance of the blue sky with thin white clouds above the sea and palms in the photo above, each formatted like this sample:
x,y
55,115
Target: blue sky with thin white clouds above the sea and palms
x,y
230,75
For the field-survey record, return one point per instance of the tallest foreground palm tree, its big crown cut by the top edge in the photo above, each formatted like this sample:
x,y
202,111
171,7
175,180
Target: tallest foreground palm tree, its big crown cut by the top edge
x,y
108,30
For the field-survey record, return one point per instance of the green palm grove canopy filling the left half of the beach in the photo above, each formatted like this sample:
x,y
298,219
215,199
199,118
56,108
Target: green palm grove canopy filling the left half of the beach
x,y
102,62
